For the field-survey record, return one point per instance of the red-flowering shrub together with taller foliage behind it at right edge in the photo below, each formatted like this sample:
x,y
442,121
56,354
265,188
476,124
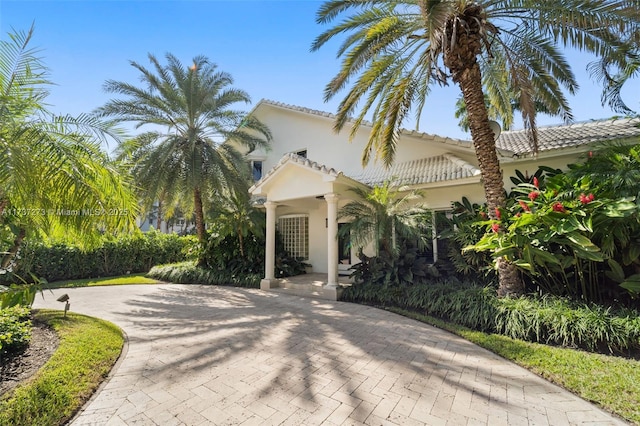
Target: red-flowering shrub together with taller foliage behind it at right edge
x,y
575,234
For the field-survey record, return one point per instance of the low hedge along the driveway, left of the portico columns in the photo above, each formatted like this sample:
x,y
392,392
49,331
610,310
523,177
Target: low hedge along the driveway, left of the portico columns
x,y
190,273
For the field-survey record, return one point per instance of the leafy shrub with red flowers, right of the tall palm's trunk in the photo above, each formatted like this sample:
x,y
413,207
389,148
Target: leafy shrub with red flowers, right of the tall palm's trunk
x,y
563,237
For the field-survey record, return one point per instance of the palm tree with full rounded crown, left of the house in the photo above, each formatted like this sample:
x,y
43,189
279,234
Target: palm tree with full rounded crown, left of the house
x,y
192,152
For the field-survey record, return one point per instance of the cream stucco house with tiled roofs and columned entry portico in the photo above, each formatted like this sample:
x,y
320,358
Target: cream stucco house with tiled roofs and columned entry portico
x,y
305,175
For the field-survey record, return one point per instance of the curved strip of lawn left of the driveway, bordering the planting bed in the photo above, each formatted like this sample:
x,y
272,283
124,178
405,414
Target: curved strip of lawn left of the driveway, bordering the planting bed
x,y
88,349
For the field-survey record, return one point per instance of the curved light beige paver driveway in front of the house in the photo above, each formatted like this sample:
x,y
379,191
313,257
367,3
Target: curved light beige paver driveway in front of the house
x,y
201,355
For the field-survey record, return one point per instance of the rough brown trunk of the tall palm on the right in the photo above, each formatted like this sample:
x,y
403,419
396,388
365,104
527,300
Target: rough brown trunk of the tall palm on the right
x,y
470,81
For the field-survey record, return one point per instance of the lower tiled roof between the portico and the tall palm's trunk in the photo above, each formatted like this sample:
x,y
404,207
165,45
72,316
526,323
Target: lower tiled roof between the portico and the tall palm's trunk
x,y
442,168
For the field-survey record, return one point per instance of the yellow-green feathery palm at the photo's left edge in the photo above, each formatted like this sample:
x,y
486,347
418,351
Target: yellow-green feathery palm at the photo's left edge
x,y
54,177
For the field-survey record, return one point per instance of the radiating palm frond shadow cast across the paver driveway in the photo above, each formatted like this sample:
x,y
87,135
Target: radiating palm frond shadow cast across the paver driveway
x,y
311,353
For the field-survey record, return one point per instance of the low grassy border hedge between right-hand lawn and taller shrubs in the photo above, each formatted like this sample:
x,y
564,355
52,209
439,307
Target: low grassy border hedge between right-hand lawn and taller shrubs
x,y
551,320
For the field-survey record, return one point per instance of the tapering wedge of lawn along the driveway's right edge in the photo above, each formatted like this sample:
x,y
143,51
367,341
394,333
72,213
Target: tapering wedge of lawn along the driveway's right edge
x,y
611,382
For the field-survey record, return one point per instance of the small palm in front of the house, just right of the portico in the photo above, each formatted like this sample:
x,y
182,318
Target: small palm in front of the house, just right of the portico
x,y
380,215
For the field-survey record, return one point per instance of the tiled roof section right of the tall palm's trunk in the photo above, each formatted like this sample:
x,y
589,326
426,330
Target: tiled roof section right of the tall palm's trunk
x,y
571,136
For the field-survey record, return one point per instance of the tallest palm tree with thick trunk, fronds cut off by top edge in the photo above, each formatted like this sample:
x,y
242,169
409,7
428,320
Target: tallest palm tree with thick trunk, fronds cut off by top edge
x,y
395,50
